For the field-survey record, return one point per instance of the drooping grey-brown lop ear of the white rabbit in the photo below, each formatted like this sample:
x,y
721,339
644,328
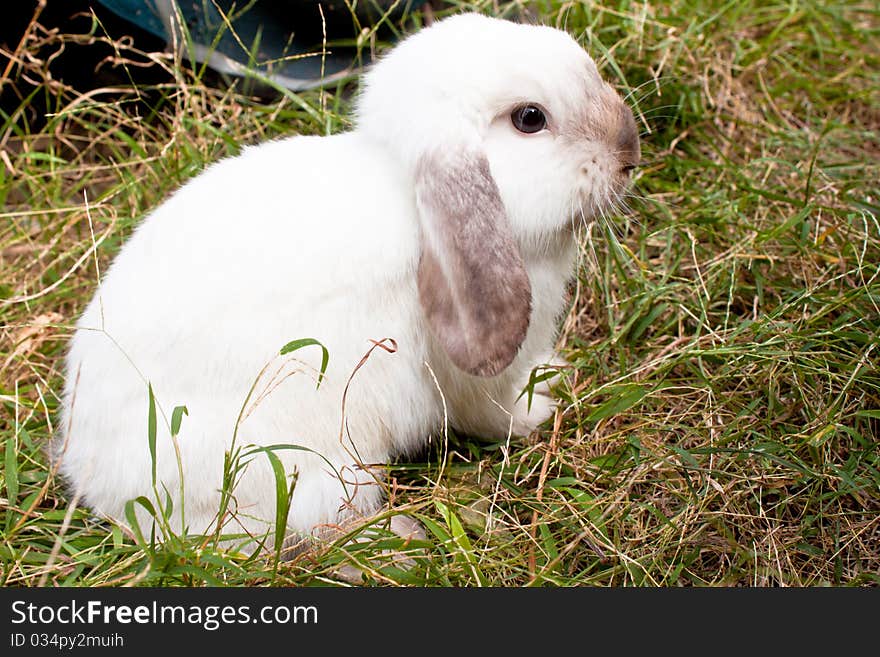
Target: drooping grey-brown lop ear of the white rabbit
x,y
473,285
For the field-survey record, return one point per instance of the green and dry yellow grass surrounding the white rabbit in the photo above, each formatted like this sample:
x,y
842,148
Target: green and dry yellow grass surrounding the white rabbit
x,y
719,426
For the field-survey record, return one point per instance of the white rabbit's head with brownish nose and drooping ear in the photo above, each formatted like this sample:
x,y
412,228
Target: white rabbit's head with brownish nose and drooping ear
x,y
511,138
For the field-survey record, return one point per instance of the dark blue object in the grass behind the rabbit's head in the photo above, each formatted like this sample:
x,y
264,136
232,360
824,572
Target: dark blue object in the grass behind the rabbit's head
x,y
280,40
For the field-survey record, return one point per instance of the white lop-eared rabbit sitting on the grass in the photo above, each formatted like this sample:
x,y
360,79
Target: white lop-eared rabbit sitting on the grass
x,y
444,221
